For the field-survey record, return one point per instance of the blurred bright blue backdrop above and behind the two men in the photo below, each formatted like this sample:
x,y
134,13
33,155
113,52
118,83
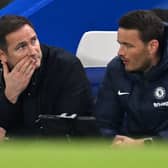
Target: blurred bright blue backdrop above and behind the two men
x,y
62,22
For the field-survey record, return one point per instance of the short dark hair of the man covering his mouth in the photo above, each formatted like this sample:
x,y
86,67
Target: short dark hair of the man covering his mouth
x,y
9,24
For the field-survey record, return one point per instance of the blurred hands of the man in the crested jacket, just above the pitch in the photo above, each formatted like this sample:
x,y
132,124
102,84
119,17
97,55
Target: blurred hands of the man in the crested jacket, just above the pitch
x,y
127,141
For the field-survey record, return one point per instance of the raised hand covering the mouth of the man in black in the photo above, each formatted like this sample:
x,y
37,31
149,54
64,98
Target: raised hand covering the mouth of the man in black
x,y
18,79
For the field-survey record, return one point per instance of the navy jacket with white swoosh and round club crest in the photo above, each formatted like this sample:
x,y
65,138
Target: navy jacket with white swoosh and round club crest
x,y
134,104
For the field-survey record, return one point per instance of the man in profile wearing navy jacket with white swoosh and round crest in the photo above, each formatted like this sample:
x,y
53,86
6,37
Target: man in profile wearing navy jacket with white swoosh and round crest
x,y
132,105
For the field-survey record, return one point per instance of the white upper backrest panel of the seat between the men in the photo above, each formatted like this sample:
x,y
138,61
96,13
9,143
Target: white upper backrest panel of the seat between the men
x,y
97,48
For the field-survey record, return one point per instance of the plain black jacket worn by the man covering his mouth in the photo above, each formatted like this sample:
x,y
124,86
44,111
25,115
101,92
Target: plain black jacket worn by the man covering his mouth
x,y
58,86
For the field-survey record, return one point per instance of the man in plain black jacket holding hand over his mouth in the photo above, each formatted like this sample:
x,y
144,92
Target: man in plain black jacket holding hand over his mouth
x,y
36,79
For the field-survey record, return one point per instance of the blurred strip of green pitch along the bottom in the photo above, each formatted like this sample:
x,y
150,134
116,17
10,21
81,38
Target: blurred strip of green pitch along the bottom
x,y
57,153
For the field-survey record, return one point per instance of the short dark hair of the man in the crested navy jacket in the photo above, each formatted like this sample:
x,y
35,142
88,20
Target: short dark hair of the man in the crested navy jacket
x,y
146,22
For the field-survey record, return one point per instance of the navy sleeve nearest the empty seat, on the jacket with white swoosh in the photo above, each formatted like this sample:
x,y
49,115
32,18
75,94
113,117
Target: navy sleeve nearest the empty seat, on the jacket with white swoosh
x,y
108,110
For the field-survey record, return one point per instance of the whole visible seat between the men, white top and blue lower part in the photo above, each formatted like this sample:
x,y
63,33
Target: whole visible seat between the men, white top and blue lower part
x,y
95,50
